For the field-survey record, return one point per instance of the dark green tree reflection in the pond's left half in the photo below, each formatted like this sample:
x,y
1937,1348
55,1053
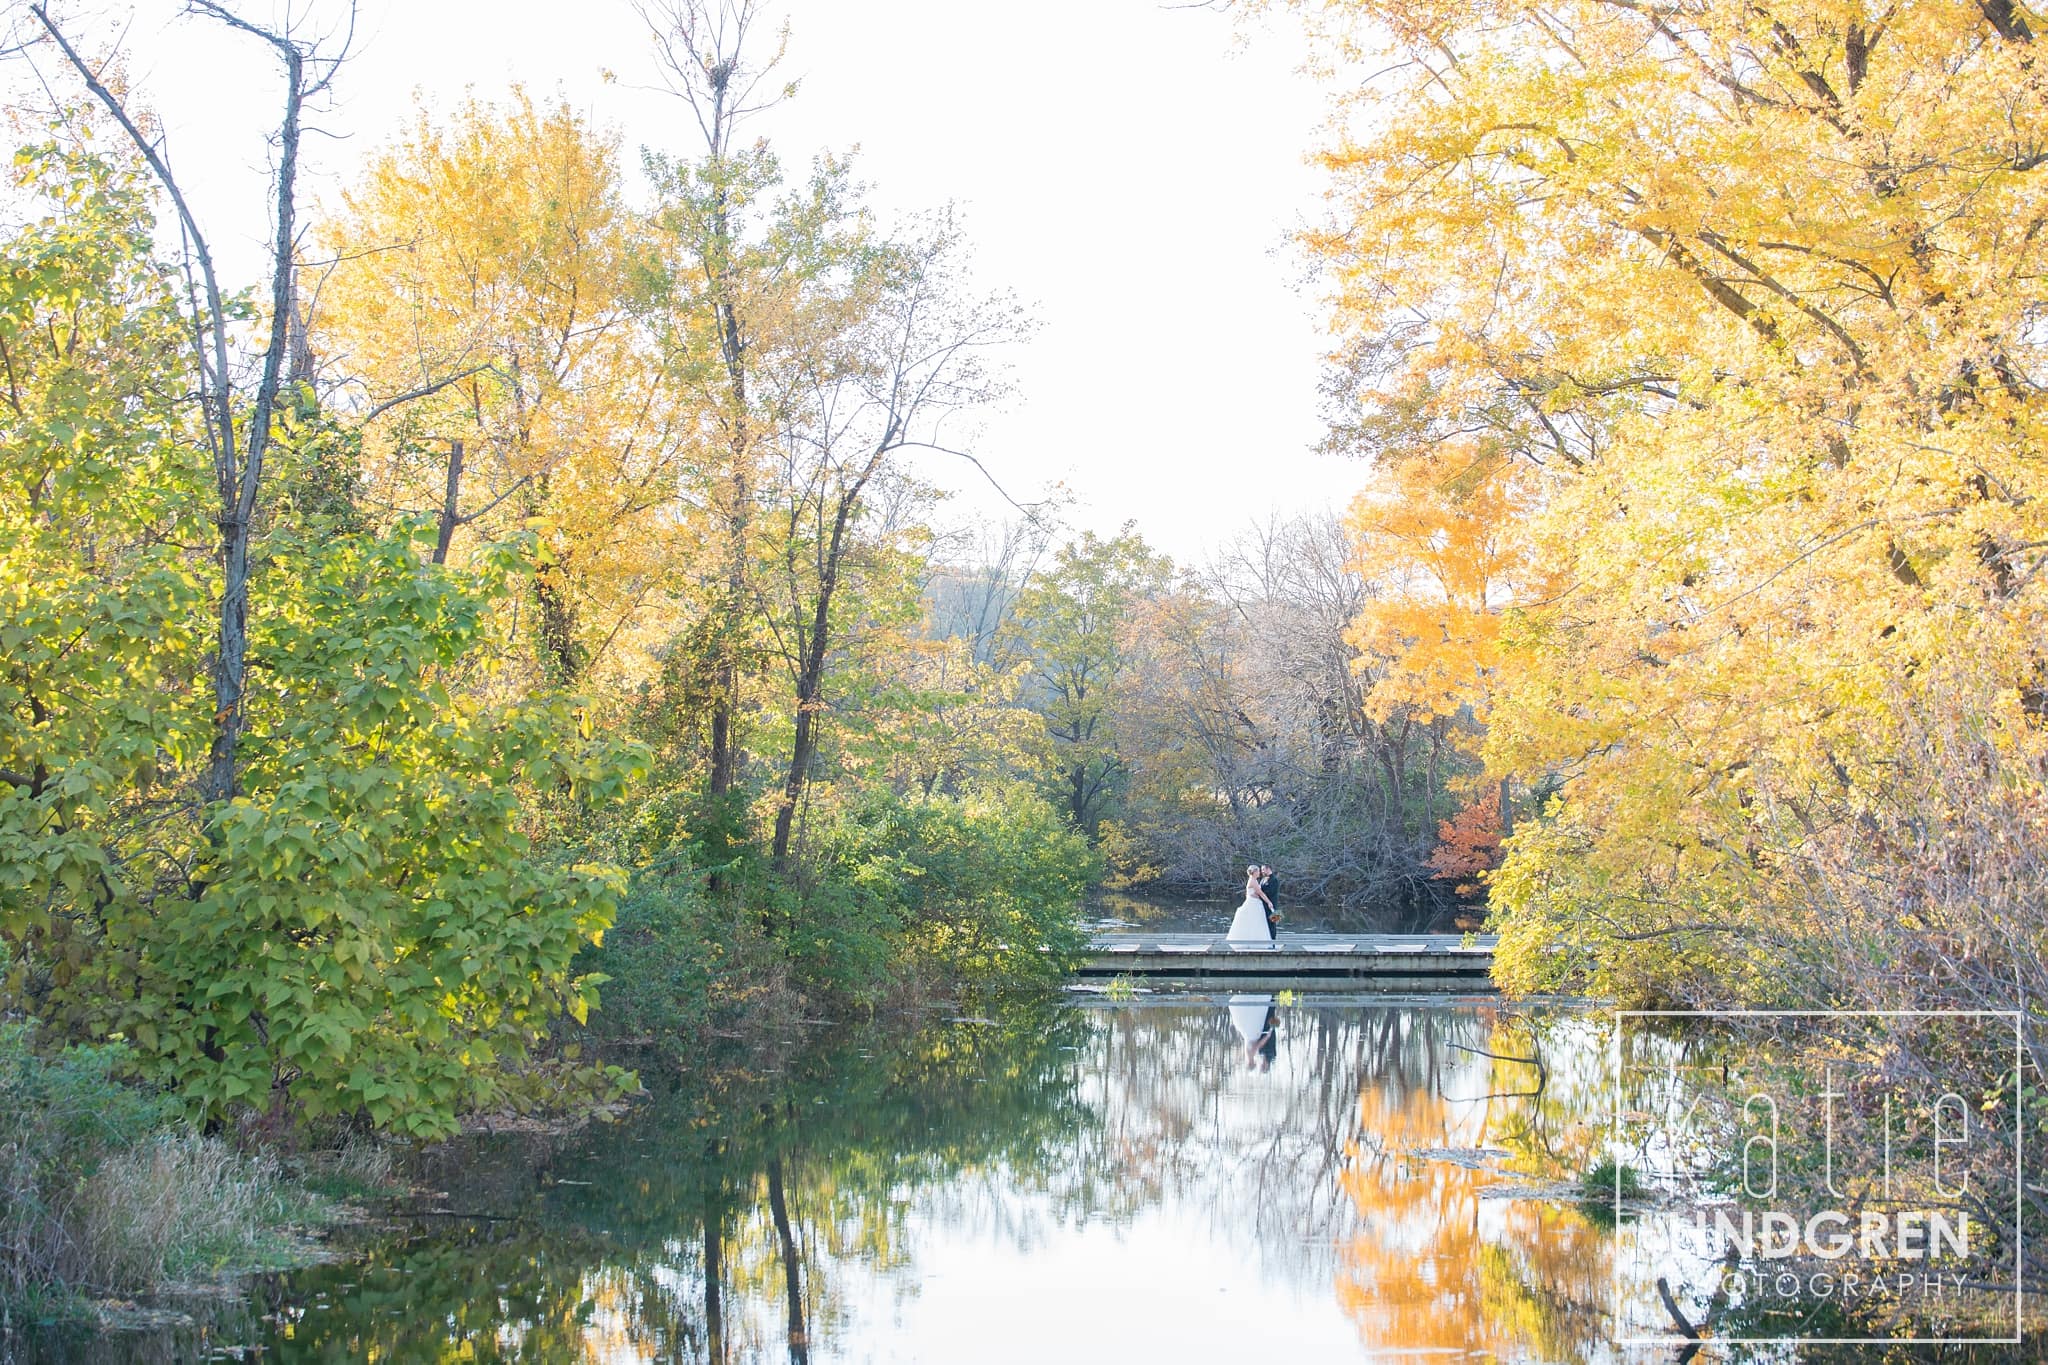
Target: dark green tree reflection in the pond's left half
x,y
663,1239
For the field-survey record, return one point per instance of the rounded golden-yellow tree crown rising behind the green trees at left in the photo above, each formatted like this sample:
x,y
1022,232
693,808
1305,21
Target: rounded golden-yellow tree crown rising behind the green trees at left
x,y
476,296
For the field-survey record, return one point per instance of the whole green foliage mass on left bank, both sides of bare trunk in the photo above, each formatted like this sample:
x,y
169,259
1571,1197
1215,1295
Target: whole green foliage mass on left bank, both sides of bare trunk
x,y
368,926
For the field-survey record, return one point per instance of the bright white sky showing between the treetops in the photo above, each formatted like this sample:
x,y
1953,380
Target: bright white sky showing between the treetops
x,y
1129,169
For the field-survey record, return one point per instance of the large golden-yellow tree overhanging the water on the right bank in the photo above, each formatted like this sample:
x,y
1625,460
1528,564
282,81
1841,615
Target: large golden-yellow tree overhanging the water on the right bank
x,y
1752,296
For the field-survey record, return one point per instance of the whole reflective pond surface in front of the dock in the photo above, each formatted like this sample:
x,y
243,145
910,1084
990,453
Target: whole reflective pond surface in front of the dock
x,y
1195,1180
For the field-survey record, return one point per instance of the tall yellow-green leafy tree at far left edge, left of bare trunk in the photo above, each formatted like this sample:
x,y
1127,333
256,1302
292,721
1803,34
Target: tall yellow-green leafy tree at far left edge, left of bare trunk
x,y
101,605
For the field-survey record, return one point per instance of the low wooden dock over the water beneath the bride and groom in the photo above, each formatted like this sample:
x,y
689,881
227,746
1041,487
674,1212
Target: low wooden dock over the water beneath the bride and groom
x,y
1400,961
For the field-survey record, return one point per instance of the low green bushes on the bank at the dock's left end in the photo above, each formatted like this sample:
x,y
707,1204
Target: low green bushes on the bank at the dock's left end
x,y
898,893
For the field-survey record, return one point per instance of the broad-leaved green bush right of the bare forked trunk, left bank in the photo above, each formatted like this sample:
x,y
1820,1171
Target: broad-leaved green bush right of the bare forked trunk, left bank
x,y
380,836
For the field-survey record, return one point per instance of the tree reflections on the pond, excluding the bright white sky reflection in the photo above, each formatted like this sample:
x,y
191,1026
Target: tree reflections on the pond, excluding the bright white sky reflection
x,y
757,1221
